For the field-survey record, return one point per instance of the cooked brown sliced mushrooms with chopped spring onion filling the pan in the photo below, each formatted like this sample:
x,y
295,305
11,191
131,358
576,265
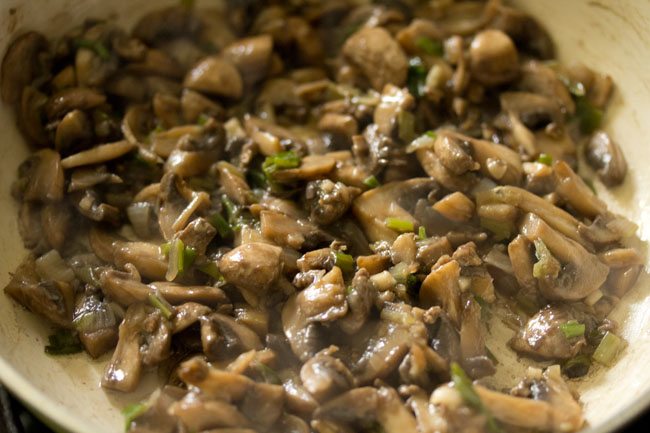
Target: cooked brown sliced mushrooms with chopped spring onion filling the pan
x,y
303,214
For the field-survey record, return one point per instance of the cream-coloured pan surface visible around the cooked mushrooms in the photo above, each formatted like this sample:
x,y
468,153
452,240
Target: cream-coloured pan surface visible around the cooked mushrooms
x,y
609,36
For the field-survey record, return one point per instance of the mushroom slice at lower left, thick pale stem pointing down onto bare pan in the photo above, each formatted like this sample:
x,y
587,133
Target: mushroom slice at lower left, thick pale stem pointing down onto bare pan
x,y
144,340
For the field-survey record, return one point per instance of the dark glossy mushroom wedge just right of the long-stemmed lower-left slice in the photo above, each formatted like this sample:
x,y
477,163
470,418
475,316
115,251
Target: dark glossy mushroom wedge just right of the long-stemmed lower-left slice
x,y
222,337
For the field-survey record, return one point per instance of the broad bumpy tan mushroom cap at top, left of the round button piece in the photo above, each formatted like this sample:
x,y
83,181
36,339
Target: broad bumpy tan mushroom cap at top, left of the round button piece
x,y
378,56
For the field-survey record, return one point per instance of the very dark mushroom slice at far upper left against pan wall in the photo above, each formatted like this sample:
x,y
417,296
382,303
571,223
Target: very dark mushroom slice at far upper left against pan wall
x,y
21,65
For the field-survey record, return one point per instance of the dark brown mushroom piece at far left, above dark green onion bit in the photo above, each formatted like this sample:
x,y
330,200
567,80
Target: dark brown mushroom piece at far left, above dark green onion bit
x,y
52,300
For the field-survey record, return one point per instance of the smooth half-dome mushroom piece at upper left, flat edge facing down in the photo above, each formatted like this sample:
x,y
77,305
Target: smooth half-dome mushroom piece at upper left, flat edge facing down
x,y
217,76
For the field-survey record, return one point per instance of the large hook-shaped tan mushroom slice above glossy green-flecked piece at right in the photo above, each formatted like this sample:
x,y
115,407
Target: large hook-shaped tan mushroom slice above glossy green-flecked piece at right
x,y
581,273
